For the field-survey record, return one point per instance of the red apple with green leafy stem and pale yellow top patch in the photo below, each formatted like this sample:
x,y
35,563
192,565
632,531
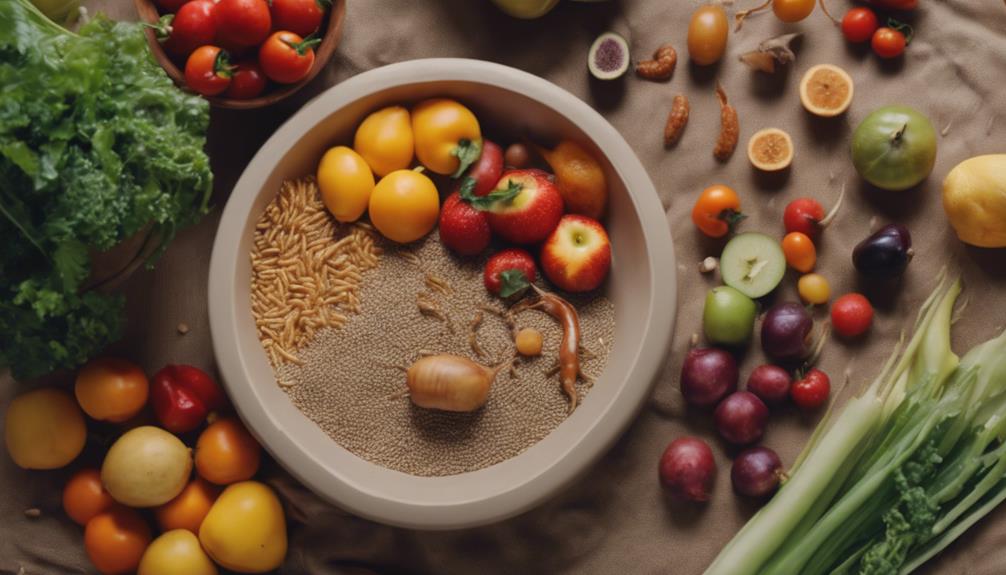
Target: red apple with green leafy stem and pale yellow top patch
x,y
534,211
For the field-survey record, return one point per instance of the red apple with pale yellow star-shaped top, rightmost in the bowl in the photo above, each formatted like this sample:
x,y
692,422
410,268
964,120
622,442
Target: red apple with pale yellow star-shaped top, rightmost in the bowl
x,y
578,256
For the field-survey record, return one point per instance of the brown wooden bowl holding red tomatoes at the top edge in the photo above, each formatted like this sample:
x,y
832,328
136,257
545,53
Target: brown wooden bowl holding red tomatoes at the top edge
x,y
332,25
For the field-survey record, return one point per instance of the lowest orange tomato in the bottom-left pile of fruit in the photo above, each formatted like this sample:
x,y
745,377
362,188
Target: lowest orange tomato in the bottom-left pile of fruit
x,y
115,540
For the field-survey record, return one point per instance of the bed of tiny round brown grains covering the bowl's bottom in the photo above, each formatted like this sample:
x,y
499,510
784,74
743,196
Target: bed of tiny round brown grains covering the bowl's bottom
x,y
421,299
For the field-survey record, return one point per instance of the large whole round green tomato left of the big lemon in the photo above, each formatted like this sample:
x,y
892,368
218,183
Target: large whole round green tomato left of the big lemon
x,y
895,148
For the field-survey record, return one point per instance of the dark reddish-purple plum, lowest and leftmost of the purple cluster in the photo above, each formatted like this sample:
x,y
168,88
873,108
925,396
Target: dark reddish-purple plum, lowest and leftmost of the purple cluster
x,y
689,470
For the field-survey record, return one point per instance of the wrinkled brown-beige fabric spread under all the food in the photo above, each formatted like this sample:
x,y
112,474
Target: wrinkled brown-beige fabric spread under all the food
x,y
615,518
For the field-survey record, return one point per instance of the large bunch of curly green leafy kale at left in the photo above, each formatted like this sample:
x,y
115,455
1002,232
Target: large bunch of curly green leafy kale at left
x,y
97,145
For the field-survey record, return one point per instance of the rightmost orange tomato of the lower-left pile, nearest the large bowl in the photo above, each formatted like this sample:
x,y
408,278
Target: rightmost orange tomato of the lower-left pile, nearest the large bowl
x,y
226,453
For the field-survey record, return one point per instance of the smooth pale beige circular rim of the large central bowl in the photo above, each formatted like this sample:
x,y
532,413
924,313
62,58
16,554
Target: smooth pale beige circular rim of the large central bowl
x,y
352,494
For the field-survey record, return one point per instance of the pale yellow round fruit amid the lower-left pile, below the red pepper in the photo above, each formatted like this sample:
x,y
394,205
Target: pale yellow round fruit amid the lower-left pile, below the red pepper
x,y
147,467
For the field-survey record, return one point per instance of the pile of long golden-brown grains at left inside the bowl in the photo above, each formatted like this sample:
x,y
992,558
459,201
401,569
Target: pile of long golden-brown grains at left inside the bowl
x,y
306,271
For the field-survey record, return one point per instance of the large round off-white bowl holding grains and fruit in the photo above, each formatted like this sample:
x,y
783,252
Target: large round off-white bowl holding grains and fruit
x,y
642,287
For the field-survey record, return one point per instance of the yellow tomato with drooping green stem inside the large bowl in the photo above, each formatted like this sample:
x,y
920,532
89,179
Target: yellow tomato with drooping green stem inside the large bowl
x,y
448,138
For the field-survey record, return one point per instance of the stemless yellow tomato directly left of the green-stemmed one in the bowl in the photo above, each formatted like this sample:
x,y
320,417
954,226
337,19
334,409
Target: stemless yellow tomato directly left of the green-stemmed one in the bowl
x,y
385,139
